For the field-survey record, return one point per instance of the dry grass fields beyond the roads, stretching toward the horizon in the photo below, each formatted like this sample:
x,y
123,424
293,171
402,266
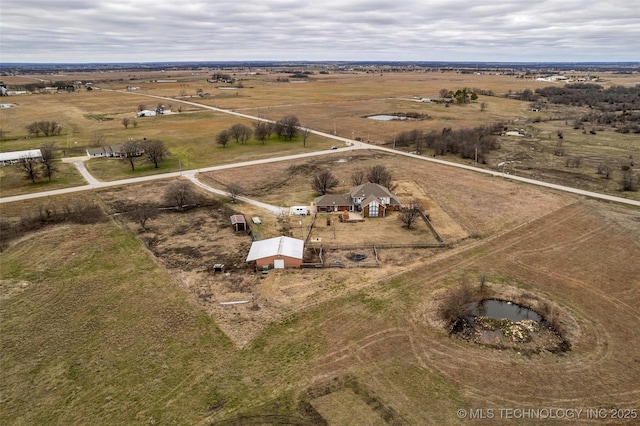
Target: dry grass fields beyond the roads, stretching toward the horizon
x,y
336,103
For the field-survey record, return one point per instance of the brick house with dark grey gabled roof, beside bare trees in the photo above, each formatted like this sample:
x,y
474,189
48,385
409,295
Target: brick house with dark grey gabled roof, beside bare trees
x,y
371,199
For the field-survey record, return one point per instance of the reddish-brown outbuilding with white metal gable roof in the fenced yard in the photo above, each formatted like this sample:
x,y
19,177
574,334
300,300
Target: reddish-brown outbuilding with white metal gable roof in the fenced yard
x,y
279,253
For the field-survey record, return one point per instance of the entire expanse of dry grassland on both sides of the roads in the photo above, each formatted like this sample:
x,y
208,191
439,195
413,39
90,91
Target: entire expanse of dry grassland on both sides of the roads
x,y
105,321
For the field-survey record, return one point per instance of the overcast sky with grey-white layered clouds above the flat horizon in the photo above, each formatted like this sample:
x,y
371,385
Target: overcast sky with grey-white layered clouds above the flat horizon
x,y
351,30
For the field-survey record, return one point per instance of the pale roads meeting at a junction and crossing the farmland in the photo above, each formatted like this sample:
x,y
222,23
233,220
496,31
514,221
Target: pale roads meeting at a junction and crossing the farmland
x,y
350,144
